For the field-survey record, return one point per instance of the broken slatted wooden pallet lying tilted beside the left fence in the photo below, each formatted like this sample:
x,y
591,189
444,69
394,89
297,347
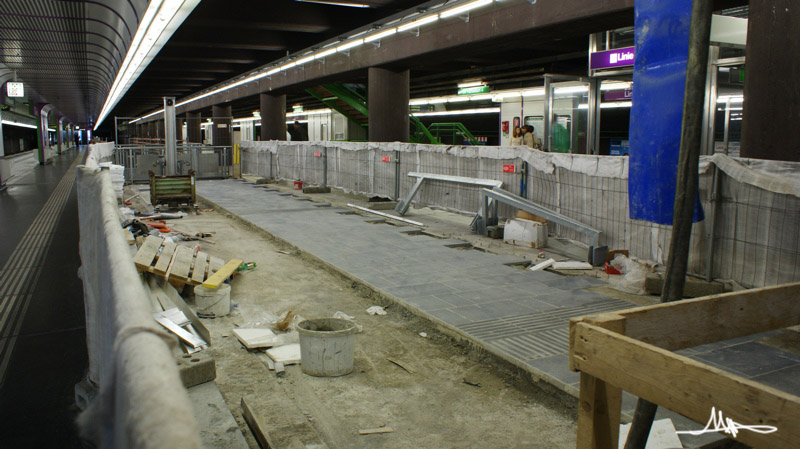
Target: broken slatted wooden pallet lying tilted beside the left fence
x,y
179,264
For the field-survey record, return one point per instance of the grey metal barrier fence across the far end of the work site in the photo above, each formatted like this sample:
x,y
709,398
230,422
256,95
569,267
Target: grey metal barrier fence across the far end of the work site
x,y
209,162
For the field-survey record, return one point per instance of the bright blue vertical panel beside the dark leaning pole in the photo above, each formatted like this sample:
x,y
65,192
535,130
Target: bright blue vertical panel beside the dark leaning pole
x,y
659,77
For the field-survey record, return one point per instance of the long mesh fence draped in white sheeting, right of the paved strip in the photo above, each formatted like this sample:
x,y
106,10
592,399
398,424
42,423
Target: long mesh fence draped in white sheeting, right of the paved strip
x,y
756,236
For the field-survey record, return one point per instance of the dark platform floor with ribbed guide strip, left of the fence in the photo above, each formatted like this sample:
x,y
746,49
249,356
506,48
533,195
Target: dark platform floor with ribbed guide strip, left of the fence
x,y
42,339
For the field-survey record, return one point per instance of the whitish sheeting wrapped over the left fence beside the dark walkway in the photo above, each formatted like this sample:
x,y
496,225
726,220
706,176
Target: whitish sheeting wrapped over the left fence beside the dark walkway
x,y
142,403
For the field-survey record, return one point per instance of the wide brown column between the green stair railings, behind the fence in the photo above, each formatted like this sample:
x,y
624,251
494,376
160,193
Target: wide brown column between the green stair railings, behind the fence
x,y
388,92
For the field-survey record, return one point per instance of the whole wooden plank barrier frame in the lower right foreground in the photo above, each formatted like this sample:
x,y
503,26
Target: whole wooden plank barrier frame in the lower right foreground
x,y
631,350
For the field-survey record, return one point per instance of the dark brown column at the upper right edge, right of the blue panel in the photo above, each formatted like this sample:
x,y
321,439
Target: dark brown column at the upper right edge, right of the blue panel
x,y
771,92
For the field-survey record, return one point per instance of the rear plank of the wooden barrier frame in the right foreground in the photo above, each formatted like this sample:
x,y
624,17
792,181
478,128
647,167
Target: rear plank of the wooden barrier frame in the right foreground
x,y
693,322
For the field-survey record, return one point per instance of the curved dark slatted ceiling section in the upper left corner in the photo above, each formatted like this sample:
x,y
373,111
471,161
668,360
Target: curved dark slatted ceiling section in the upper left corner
x,y
67,52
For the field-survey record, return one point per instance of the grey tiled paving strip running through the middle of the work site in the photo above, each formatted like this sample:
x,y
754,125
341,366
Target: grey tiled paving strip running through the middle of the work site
x,y
518,315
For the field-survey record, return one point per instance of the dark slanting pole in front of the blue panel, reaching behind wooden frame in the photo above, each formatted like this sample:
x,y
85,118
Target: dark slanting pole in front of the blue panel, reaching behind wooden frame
x,y
686,189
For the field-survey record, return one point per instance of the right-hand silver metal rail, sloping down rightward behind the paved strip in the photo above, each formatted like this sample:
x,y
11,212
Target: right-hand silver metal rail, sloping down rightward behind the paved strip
x,y
499,195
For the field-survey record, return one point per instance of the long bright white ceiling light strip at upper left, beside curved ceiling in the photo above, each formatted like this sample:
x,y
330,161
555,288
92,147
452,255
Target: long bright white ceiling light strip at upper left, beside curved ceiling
x,y
159,21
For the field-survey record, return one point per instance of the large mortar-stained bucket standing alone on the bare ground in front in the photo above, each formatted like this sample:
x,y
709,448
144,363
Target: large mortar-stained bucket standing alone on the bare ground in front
x,y
327,346
